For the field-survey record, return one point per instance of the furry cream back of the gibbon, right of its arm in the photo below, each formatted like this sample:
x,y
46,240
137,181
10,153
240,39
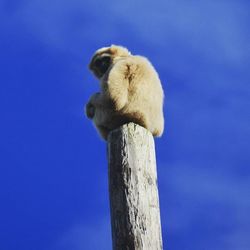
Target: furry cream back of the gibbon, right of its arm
x,y
145,96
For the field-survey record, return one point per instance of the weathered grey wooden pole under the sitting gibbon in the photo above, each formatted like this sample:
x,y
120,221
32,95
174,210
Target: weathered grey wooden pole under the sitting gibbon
x,y
134,201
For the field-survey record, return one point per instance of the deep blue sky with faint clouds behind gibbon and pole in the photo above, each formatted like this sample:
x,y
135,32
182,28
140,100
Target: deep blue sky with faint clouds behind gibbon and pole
x,y
53,167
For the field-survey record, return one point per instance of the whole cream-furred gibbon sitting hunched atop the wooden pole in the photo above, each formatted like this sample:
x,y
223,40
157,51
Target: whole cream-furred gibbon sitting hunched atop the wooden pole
x,y
130,91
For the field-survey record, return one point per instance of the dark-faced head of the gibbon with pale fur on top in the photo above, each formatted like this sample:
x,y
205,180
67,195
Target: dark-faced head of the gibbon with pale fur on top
x,y
105,57
